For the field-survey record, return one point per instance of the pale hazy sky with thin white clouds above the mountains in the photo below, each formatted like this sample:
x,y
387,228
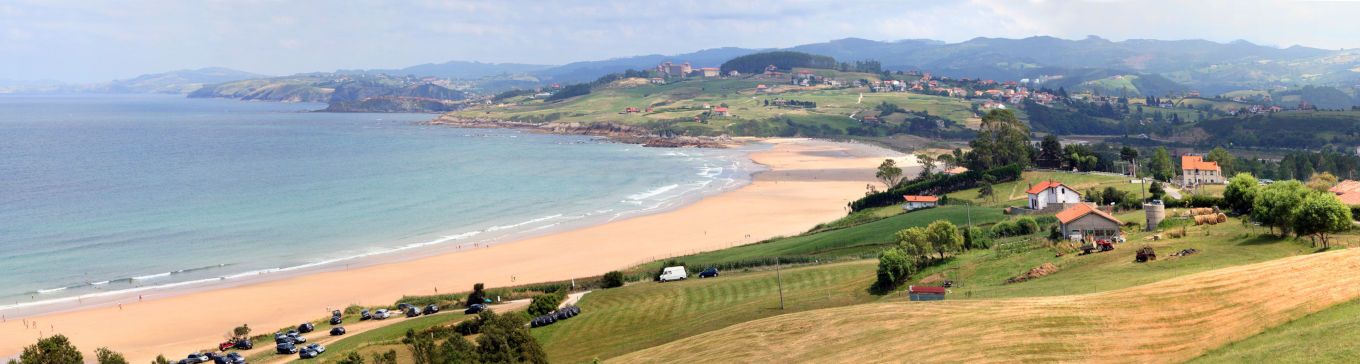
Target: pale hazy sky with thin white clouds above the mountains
x,y
99,41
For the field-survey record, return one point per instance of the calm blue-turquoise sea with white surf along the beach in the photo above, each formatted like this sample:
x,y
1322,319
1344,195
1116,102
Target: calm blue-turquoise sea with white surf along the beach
x,y
118,194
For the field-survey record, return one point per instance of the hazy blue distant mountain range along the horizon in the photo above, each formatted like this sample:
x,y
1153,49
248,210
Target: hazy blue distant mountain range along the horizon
x,y
1135,67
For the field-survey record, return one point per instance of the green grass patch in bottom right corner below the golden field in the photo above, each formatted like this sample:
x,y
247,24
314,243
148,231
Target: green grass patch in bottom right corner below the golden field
x,y
1327,336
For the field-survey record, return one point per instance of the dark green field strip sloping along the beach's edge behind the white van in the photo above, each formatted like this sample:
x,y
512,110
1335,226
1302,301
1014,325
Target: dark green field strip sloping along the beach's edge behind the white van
x,y
859,241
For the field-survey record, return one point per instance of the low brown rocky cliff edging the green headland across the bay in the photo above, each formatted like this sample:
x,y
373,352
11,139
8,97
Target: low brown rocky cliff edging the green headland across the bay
x,y
617,132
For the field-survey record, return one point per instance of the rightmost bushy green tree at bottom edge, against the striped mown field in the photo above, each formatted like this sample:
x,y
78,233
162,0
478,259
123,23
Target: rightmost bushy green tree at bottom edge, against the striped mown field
x,y
505,339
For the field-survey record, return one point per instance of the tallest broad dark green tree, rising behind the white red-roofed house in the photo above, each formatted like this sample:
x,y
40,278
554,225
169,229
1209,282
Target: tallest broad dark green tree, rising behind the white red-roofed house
x,y
1002,141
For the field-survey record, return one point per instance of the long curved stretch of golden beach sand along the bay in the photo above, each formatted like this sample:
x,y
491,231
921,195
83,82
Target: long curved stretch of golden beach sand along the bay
x,y
809,183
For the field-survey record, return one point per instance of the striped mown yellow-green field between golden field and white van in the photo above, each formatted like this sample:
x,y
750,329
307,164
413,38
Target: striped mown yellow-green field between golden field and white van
x,y
648,314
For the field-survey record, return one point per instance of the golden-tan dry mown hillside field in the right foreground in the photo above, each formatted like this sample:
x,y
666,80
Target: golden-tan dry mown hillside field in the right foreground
x,y
1169,321
